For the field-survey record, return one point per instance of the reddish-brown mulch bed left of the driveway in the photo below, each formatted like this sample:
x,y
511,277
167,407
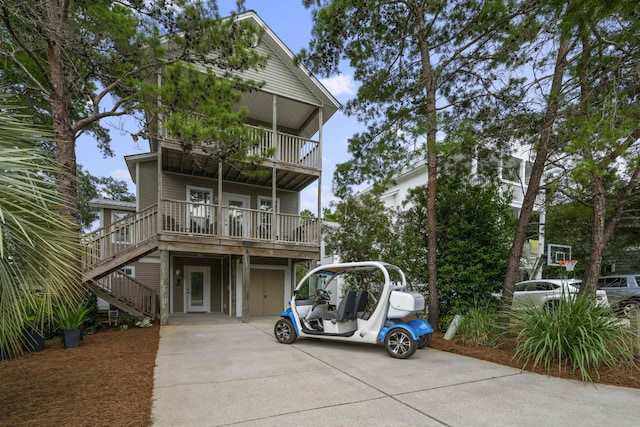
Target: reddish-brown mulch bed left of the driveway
x,y
108,380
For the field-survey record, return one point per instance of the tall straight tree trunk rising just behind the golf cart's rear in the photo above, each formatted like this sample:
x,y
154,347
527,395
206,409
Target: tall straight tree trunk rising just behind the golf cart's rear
x,y
432,166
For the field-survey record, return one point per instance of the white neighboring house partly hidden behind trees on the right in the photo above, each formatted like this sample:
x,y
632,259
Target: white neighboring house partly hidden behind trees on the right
x,y
513,173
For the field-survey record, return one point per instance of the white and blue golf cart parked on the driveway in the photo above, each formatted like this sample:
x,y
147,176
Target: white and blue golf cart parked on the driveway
x,y
382,310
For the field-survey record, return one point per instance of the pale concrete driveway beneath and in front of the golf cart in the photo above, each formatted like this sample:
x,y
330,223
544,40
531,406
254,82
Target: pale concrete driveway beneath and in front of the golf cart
x,y
215,371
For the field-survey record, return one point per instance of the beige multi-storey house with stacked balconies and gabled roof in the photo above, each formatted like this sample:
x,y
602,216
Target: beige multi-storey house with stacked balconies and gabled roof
x,y
204,237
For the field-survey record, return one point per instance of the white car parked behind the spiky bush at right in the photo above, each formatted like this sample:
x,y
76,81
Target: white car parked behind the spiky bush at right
x,y
546,292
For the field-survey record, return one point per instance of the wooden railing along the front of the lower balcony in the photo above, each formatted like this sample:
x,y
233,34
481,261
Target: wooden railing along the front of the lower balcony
x,y
237,223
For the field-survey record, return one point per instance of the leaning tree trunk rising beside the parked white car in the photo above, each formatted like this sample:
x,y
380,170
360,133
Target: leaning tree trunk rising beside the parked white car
x,y
542,153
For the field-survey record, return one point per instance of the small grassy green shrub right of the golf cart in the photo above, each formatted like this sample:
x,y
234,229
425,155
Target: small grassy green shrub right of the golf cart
x,y
479,327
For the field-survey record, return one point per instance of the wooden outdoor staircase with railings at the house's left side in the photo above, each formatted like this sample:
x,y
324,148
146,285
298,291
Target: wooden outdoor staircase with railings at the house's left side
x,y
108,249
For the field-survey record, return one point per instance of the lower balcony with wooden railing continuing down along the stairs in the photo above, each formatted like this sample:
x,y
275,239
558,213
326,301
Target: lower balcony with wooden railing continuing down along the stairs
x,y
210,227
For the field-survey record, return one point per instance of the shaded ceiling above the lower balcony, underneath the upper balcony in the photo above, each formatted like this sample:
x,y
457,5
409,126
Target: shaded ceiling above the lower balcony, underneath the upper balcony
x,y
287,178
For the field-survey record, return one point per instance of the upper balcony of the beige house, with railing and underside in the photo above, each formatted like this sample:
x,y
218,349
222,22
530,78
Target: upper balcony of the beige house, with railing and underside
x,y
296,161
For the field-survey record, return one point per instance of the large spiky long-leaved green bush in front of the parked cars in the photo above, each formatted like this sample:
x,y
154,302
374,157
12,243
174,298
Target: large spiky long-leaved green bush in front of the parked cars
x,y
575,334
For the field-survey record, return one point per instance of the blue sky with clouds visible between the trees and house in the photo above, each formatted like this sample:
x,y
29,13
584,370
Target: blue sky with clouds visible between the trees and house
x,y
292,23
